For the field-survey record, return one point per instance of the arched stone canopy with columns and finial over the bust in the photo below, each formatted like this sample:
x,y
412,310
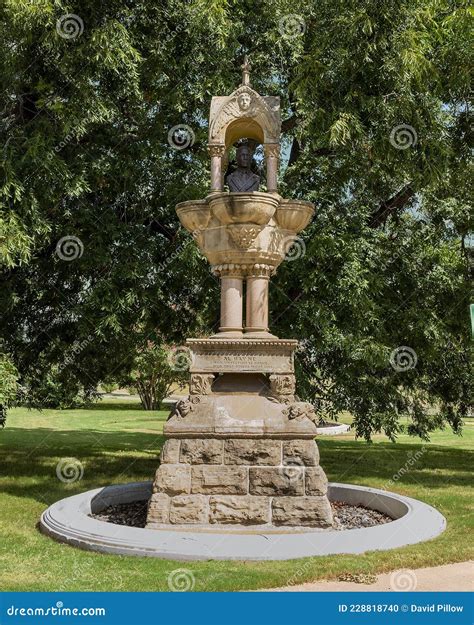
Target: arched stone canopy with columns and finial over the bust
x,y
244,114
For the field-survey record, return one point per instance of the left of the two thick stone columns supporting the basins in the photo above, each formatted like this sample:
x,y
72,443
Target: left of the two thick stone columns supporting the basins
x,y
231,298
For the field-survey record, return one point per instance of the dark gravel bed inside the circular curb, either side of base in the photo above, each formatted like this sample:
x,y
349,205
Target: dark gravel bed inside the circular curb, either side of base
x,y
346,517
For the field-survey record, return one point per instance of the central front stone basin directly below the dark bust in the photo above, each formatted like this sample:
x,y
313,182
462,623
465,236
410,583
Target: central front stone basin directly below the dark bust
x,y
243,208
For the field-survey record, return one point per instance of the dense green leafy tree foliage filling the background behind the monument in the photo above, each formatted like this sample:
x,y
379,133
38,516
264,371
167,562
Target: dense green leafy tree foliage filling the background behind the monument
x,y
377,124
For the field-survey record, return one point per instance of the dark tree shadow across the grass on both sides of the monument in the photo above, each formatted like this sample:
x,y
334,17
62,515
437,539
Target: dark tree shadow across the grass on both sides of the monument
x,y
29,458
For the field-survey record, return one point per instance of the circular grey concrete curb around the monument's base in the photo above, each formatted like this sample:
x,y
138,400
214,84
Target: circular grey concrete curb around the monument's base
x,y
67,520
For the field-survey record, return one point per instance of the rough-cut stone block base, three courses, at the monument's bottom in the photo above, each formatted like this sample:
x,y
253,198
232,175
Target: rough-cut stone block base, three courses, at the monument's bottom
x,y
252,481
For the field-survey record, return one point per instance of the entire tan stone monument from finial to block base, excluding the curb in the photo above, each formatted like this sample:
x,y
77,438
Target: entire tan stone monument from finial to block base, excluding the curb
x,y
240,449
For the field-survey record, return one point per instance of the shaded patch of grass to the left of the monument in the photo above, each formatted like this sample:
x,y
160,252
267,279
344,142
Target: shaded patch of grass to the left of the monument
x,y
29,469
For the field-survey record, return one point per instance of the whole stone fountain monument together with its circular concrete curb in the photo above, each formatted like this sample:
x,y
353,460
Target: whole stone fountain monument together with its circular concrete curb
x,y
239,477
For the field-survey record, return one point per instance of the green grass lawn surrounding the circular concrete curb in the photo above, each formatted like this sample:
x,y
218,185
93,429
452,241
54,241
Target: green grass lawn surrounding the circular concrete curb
x,y
117,442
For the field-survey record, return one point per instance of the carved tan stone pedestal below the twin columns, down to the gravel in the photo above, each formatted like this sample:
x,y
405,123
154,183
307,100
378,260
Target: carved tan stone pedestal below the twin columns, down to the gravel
x,y
240,449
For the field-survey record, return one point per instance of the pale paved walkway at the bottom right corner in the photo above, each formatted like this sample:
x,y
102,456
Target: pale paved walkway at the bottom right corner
x,y
449,577
